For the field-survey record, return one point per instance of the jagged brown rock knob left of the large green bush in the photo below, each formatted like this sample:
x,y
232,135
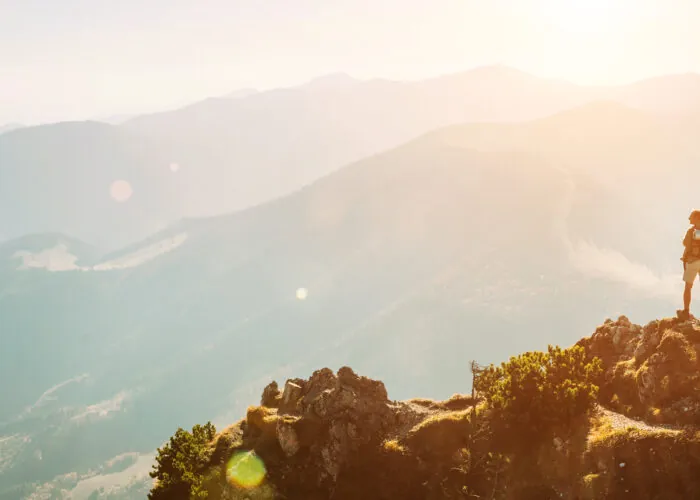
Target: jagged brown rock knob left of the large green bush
x,y
327,420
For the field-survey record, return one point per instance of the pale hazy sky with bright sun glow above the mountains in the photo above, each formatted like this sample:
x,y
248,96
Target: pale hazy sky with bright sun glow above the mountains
x,y
83,59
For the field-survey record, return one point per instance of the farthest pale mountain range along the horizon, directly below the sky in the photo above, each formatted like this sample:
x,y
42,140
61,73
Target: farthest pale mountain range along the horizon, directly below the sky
x,y
226,154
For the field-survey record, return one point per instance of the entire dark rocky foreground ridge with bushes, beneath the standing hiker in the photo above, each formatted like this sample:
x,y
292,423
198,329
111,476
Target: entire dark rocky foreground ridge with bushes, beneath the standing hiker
x,y
316,437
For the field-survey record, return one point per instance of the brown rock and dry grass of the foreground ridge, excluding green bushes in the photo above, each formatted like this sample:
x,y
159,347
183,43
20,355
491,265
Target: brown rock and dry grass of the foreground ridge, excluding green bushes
x,y
338,436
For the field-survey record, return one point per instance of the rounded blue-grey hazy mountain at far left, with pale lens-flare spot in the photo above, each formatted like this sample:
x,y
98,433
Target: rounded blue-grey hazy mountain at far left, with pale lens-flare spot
x,y
58,178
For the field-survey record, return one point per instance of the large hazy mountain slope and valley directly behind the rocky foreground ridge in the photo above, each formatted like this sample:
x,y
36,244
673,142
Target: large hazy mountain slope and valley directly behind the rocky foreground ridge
x,y
469,241
